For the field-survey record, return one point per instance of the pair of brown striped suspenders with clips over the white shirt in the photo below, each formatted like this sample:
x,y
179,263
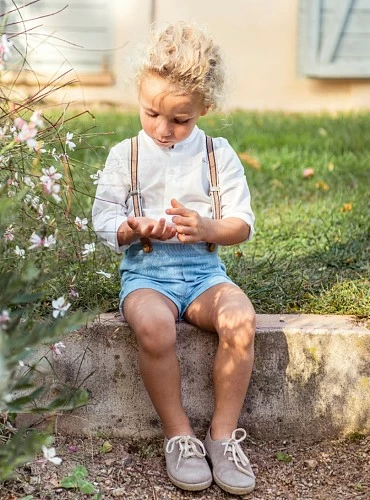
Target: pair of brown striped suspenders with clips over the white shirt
x,y
136,192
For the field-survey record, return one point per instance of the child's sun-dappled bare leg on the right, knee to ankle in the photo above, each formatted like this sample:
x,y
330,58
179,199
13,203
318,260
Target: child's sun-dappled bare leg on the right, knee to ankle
x,y
227,310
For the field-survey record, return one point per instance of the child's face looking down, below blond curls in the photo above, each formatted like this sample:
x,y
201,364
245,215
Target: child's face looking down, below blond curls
x,y
167,117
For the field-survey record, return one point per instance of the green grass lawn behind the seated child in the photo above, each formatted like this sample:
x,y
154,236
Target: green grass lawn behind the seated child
x,y
309,254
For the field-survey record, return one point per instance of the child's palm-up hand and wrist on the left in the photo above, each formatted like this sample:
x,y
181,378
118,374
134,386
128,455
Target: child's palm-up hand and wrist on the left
x,y
143,227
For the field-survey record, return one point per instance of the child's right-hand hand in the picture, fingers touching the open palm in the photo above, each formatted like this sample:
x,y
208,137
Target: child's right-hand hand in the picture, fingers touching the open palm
x,y
190,226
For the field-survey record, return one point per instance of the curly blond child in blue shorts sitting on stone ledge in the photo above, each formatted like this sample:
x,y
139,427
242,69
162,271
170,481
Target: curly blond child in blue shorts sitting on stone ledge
x,y
157,204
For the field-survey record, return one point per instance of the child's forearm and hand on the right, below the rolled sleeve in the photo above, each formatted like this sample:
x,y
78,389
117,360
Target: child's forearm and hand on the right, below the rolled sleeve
x,y
192,228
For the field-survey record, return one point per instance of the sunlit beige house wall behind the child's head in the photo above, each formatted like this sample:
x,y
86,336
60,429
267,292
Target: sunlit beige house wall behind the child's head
x,y
259,40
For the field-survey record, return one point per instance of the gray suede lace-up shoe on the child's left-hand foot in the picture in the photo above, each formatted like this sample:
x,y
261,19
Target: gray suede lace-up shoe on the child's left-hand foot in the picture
x,y
187,467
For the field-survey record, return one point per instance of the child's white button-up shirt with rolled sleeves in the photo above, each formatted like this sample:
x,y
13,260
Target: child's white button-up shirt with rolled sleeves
x,y
180,172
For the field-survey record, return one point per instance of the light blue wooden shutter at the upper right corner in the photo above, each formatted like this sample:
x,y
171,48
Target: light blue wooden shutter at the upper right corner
x,y
334,38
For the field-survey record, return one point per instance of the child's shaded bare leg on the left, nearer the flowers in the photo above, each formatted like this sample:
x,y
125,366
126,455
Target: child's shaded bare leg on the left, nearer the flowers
x,y
152,317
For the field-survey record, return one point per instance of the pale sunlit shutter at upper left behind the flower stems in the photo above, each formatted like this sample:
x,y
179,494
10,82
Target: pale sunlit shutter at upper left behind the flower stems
x,y
80,36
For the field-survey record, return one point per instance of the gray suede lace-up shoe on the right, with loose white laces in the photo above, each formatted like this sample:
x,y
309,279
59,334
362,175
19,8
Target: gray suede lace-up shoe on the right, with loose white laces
x,y
231,468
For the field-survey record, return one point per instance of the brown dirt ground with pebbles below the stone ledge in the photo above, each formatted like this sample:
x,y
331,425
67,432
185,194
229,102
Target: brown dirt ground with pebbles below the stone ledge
x,y
129,469
